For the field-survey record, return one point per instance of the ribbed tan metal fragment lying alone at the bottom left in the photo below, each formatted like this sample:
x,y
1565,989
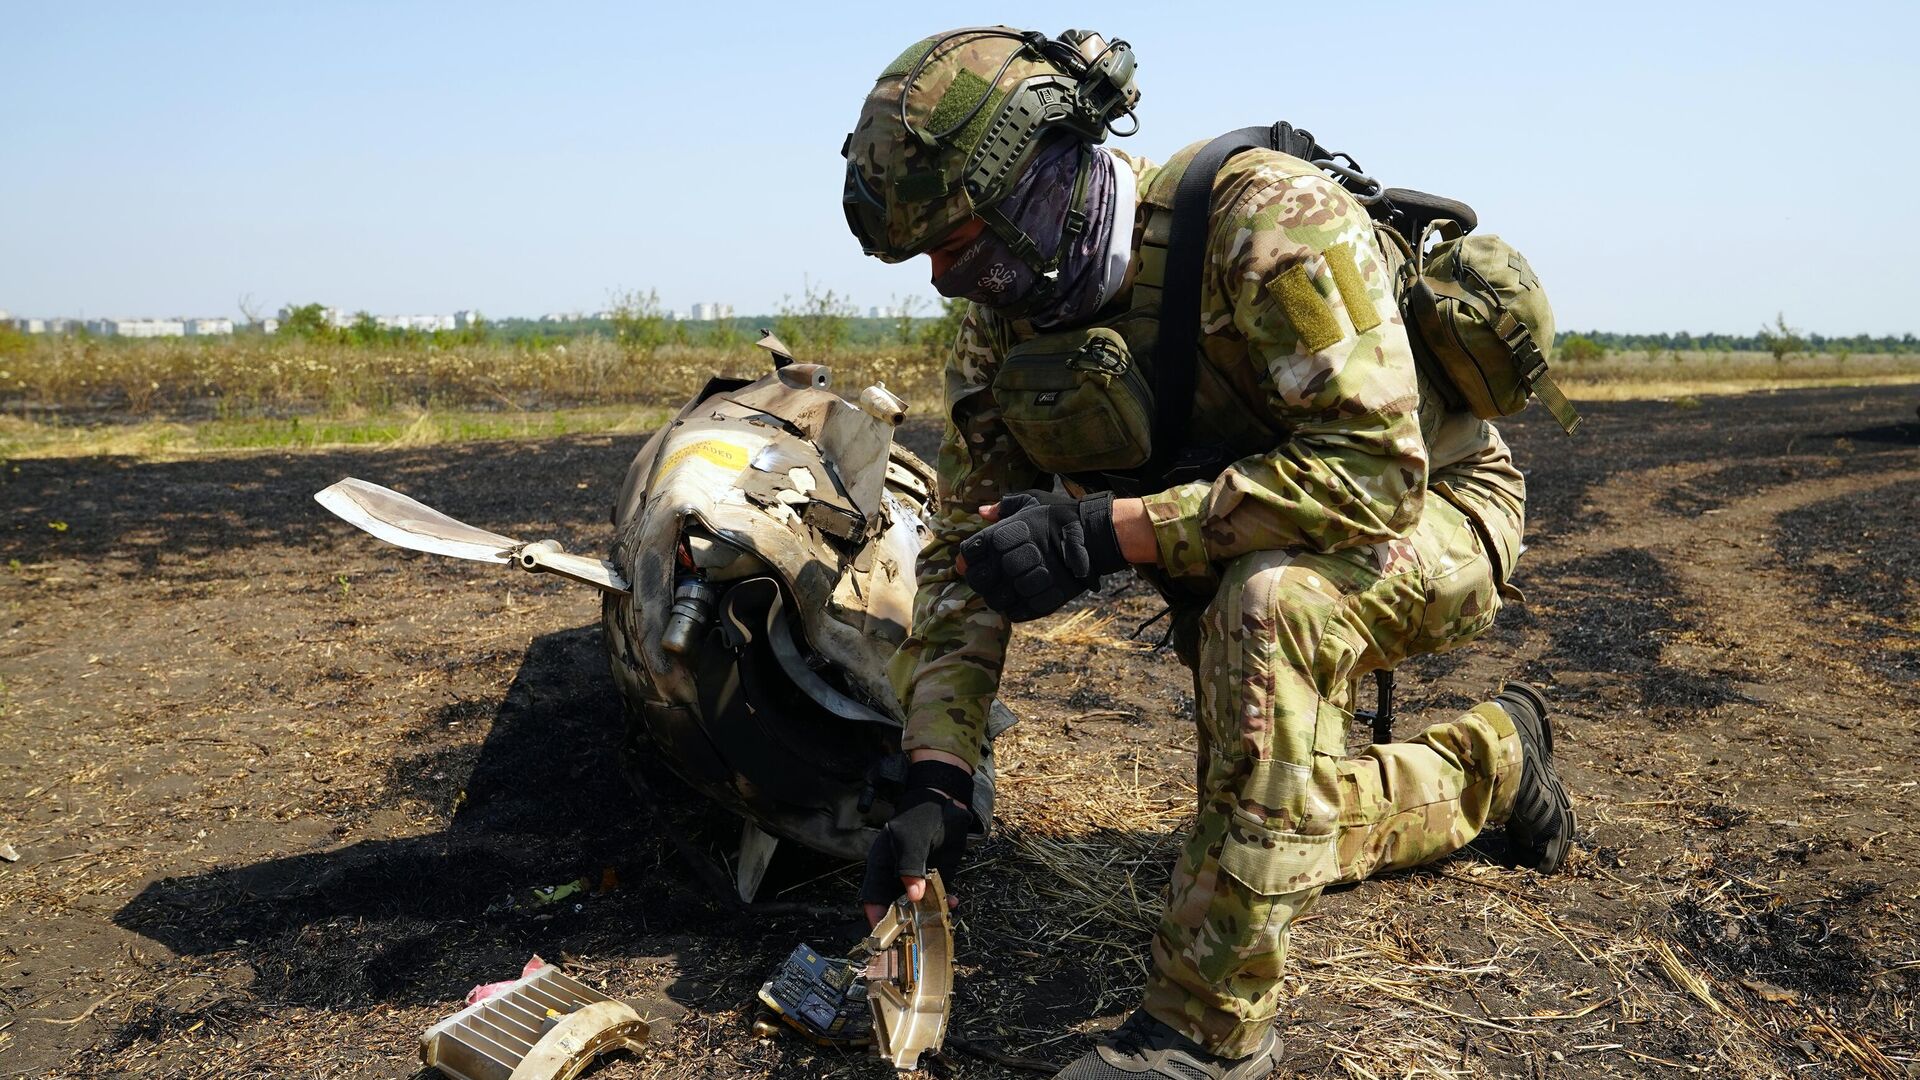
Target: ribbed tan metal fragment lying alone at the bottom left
x,y
544,1027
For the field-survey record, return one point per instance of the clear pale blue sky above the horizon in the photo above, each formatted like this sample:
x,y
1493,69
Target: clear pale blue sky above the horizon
x,y
1666,166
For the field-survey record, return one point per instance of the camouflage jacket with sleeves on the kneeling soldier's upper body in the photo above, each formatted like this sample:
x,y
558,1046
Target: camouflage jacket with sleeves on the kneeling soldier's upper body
x,y
1347,468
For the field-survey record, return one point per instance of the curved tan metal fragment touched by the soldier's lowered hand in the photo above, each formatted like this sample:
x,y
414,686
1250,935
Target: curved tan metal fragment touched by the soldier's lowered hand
x,y
909,964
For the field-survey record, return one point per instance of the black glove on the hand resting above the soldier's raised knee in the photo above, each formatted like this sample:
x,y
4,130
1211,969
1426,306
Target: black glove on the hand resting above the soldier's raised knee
x,y
1045,551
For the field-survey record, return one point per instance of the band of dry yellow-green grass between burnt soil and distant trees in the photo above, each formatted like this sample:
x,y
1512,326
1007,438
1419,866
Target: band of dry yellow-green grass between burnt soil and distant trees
x,y
162,399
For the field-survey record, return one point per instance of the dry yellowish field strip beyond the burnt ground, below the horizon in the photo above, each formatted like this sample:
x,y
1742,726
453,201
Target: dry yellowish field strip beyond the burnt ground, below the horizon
x,y
93,381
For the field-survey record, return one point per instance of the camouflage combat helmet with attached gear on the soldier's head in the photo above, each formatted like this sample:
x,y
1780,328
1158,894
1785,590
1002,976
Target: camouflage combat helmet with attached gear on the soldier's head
x,y
953,122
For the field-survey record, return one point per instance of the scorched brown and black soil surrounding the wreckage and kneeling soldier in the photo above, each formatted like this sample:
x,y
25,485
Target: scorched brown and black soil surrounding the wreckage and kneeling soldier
x,y
279,793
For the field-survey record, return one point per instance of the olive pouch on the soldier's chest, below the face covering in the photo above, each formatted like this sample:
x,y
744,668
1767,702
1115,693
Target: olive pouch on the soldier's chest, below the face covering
x,y
1078,403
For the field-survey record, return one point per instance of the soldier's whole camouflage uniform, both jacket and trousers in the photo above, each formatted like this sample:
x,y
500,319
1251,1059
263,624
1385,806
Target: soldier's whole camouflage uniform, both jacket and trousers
x,y
1353,537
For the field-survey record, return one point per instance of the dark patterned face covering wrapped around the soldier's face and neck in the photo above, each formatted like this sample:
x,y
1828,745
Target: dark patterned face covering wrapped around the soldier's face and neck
x,y
994,276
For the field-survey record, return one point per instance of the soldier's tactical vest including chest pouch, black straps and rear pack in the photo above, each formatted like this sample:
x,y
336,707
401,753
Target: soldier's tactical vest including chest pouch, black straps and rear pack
x,y
1084,403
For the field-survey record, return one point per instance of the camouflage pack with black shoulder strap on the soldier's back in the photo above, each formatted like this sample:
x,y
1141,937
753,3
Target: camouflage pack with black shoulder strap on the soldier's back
x,y
1476,312
